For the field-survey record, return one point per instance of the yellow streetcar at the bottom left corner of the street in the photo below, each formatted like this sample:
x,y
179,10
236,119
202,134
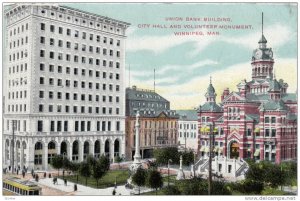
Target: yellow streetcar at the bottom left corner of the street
x,y
21,187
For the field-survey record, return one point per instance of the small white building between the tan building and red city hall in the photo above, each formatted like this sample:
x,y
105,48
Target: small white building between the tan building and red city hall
x,y
188,130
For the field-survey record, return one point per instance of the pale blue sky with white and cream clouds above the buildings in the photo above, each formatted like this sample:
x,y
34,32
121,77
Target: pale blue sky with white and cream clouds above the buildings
x,y
179,62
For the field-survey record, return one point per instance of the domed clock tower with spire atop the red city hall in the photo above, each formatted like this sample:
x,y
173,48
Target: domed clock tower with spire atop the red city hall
x,y
262,60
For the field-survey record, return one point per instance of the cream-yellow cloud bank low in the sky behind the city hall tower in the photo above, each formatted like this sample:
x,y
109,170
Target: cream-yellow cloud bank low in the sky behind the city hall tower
x,y
191,94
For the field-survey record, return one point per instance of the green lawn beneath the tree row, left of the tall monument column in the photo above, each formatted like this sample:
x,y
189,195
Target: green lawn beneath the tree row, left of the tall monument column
x,y
108,180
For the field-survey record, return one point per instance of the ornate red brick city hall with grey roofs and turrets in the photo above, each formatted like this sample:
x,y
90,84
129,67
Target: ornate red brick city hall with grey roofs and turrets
x,y
258,121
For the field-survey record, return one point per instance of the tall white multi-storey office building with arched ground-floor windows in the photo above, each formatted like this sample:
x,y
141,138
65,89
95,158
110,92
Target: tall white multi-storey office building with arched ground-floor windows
x,y
64,85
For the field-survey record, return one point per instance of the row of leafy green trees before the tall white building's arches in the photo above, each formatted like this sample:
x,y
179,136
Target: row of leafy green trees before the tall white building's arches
x,y
96,168
